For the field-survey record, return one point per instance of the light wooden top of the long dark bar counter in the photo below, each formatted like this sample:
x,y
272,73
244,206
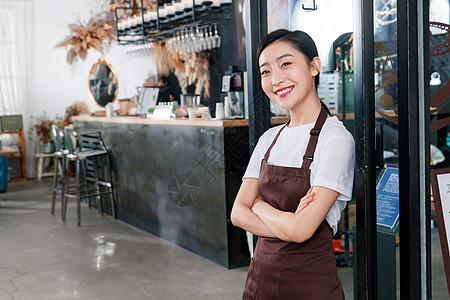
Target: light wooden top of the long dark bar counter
x,y
177,121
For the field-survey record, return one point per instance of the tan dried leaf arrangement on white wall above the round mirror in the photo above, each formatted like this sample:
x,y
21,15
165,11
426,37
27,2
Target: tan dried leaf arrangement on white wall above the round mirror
x,y
95,34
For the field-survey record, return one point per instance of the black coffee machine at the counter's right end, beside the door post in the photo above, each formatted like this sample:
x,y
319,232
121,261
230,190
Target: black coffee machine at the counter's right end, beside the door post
x,y
233,85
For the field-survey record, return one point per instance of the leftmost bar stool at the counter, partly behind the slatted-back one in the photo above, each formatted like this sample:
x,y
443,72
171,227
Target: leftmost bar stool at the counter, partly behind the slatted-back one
x,y
59,165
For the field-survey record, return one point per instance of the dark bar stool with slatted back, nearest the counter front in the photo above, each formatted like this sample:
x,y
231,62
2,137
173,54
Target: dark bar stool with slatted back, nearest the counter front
x,y
92,170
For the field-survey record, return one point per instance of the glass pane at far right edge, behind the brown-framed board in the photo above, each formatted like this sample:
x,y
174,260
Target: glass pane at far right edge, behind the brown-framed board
x,y
439,85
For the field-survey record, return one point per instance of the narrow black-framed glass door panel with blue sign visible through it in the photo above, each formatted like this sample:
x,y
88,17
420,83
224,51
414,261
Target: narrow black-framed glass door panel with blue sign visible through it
x,y
392,110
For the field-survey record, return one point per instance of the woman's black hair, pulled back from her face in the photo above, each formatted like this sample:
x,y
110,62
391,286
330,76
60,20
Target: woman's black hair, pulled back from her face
x,y
299,40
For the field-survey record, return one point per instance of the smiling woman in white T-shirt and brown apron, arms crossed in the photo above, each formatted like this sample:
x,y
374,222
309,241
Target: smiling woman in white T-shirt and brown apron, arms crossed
x,y
298,180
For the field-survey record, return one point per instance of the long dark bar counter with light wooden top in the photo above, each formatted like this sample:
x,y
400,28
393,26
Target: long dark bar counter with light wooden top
x,y
178,179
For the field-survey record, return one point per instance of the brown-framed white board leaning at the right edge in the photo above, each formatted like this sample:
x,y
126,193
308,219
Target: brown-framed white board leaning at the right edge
x,y
440,183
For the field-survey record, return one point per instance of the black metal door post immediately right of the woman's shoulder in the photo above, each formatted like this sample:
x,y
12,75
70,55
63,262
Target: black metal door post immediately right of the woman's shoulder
x,y
365,183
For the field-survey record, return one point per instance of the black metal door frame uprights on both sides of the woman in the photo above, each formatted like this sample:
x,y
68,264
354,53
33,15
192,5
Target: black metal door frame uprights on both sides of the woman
x,y
414,139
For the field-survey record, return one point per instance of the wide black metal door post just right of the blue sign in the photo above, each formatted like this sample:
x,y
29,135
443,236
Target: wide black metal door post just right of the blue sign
x,y
411,21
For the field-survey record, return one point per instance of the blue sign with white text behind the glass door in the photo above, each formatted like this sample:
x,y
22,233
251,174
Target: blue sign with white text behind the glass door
x,y
387,198
